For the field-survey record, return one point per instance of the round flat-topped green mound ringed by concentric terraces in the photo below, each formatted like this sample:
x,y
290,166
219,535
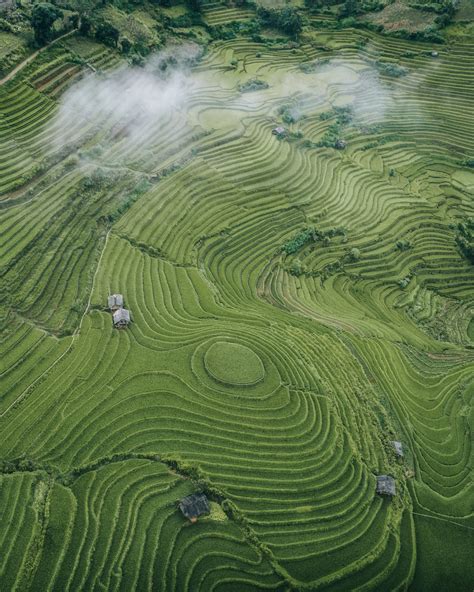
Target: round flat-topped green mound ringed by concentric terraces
x,y
235,364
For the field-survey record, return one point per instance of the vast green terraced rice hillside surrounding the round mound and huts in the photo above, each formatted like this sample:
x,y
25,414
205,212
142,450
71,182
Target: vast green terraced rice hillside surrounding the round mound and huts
x,y
350,362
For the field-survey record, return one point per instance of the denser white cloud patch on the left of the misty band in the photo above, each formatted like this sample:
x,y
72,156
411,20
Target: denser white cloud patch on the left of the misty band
x,y
126,103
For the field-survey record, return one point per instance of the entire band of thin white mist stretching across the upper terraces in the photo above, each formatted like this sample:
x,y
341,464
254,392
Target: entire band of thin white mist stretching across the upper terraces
x,y
135,113
